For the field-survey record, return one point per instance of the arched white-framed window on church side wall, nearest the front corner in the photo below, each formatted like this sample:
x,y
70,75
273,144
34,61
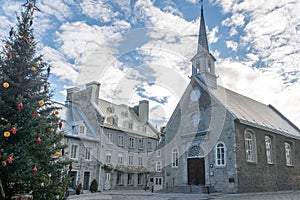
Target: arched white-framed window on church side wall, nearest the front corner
x,y
250,146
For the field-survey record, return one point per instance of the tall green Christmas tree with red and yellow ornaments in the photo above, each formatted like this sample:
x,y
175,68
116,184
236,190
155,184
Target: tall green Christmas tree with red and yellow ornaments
x,y
32,157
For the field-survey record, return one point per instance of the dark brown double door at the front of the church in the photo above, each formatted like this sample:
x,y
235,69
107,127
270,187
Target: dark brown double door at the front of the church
x,y
196,171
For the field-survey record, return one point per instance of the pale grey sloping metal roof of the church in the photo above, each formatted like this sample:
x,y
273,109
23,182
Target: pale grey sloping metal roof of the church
x,y
254,113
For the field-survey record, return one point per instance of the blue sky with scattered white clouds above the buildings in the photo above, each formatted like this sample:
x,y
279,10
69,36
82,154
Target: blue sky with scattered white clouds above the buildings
x,y
141,49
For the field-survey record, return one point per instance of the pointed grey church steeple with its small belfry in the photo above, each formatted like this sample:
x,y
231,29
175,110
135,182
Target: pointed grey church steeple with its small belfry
x,y
203,63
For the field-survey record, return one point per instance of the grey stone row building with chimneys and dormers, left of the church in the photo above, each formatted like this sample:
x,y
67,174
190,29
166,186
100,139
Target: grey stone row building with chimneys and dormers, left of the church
x,y
120,140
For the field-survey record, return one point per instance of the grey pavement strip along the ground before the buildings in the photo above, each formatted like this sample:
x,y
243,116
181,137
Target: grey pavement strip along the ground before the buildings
x,y
146,195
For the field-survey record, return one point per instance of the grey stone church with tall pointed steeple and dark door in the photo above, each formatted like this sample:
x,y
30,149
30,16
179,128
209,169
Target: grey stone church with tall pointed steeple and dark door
x,y
222,141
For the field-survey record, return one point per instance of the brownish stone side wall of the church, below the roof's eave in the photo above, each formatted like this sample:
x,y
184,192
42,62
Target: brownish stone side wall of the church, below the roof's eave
x,y
261,176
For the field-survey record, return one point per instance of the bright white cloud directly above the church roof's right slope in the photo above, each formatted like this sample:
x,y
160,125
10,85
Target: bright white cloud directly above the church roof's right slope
x,y
262,85
